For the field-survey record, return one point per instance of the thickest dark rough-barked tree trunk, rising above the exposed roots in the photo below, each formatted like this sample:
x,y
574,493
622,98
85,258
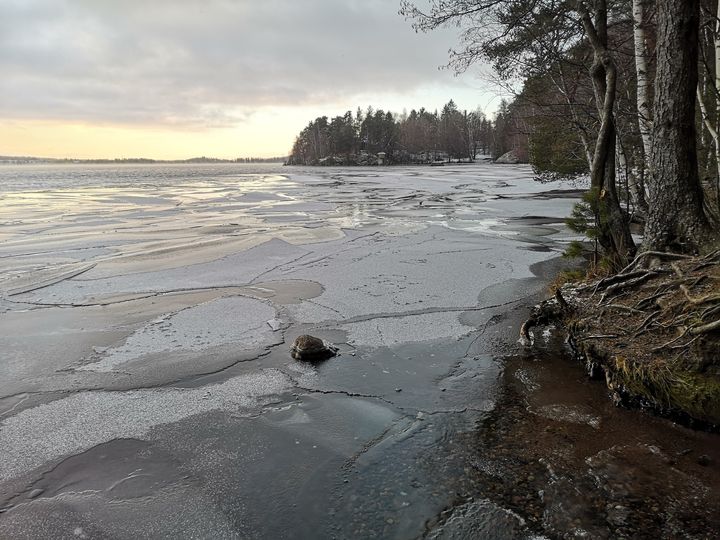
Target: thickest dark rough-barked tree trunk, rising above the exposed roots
x,y
677,220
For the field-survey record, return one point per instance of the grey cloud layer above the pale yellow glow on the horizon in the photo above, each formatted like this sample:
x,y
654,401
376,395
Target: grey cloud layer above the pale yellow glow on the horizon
x,y
204,62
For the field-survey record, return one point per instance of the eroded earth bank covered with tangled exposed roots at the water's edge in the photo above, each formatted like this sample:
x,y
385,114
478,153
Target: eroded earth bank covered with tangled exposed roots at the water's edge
x,y
655,333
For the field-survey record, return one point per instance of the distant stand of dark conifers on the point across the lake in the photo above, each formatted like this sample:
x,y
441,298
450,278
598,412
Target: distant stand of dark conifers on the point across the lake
x,y
420,136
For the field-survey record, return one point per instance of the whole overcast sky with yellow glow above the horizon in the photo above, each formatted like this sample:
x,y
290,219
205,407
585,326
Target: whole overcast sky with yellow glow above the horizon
x,y
173,79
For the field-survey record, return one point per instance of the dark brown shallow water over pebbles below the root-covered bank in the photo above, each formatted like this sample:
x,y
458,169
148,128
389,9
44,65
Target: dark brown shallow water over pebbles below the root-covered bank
x,y
553,457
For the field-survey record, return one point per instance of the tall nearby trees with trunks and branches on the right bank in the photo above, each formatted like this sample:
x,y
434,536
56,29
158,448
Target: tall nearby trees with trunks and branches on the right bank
x,y
627,91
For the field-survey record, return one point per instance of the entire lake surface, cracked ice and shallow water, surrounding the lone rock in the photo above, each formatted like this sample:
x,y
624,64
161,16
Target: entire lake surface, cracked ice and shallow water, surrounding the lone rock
x,y
147,390
